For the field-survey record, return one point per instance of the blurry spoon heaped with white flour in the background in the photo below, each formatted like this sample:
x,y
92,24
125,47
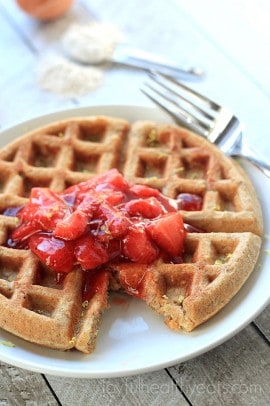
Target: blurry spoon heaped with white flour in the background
x,y
99,43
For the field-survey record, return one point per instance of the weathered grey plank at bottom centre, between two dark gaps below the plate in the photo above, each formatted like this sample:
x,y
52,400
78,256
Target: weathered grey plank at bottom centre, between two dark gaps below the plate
x,y
155,389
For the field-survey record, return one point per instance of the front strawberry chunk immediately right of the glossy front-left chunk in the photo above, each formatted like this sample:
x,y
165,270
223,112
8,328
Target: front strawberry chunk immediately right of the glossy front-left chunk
x,y
90,253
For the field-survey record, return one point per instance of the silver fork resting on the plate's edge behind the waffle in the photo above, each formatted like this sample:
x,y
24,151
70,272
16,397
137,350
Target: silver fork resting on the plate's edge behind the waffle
x,y
202,115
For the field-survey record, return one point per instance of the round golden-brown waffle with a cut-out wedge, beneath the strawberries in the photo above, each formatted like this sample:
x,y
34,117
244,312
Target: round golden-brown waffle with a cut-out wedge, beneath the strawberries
x,y
40,308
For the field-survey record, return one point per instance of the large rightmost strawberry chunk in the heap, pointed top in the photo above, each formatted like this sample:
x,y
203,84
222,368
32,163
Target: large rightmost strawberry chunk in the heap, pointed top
x,y
168,233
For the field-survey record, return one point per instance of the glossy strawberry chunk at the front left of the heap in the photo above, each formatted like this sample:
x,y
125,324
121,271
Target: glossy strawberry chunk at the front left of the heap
x,y
55,253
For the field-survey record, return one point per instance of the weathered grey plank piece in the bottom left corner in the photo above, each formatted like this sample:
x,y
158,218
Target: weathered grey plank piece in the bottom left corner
x,y
19,387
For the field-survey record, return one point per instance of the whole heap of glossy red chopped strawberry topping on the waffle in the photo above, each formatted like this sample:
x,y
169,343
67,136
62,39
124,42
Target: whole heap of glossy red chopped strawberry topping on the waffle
x,y
99,221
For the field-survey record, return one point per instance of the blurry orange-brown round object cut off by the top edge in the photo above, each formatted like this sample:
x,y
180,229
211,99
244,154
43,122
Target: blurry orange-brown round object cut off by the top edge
x,y
45,9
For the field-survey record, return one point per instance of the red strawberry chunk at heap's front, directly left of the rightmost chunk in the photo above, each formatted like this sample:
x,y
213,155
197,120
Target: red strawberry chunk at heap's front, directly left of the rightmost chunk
x,y
138,247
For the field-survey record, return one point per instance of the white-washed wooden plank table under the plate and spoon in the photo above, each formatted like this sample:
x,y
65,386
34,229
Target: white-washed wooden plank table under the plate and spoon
x,y
230,41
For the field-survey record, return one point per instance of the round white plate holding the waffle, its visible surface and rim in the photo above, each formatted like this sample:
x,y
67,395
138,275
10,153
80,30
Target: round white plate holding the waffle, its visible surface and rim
x,y
132,338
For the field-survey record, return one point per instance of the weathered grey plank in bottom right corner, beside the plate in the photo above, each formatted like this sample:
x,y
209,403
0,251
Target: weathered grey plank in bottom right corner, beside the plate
x,y
235,373
